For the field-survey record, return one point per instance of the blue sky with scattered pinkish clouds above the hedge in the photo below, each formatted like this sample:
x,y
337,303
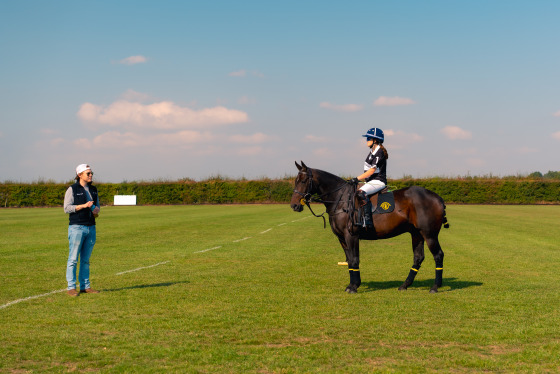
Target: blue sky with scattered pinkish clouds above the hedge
x,y
166,90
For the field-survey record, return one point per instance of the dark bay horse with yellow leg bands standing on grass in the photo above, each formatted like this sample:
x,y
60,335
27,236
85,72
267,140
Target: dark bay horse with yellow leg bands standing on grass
x,y
418,211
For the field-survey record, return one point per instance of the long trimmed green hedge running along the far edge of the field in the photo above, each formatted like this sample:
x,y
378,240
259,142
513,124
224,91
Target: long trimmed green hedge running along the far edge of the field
x,y
279,191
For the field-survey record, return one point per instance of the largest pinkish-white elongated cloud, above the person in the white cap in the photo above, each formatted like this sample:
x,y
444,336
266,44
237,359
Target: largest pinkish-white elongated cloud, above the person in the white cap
x,y
161,115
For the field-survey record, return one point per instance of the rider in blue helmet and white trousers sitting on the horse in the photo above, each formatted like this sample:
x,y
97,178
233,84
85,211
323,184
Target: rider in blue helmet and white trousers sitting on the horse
x,y
375,166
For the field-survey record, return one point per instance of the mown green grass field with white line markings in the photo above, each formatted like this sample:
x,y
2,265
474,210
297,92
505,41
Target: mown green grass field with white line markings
x,y
248,289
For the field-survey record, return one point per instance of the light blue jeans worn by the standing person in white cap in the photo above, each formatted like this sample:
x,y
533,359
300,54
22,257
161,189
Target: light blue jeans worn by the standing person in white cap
x,y
82,240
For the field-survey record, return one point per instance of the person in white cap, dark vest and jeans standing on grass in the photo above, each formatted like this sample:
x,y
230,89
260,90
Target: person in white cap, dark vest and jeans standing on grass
x,y
82,204
